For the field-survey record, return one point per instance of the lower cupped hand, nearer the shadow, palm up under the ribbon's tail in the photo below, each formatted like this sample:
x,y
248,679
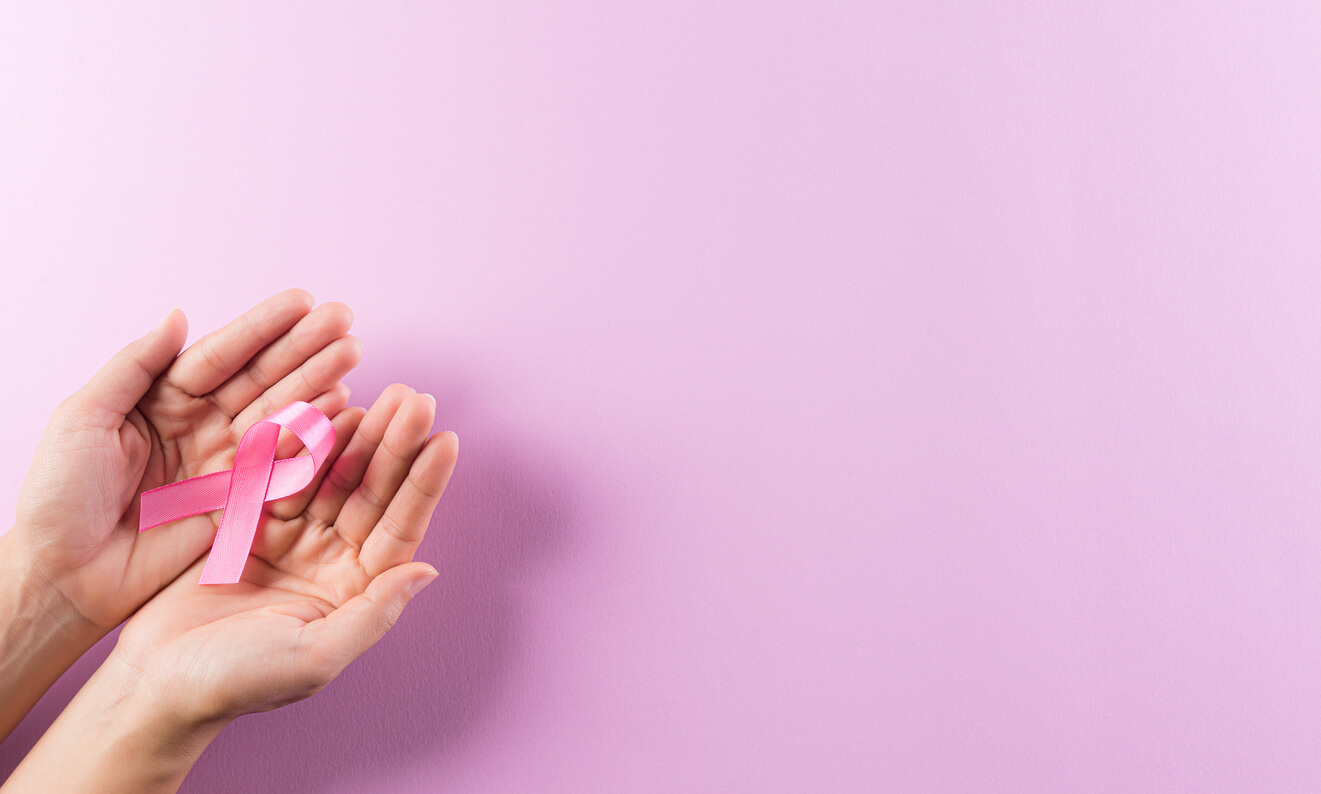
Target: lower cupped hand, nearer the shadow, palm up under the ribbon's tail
x,y
330,573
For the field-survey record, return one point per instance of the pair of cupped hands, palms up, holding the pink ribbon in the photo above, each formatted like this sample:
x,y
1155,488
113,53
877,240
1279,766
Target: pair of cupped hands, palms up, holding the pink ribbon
x,y
332,567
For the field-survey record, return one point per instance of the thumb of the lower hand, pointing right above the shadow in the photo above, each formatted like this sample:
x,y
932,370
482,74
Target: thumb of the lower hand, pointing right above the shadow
x,y
348,632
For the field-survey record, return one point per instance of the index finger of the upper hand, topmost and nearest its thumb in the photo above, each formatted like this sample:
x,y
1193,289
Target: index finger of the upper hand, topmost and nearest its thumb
x,y
219,356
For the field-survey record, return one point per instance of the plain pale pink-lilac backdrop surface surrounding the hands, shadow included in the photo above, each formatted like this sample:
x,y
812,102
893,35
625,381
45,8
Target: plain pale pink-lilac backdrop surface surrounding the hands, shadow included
x,y
854,397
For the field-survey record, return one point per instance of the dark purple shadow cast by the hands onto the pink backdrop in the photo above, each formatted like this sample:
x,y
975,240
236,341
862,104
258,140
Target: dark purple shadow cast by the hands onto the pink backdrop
x,y
425,689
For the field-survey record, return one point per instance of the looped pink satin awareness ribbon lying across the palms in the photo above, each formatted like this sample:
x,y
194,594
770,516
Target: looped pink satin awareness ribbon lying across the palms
x,y
256,479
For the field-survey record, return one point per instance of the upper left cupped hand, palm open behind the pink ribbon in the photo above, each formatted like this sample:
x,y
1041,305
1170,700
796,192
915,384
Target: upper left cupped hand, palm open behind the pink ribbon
x,y
153,417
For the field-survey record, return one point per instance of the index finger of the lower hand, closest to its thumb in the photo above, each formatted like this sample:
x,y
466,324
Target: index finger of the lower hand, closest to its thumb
x,y
400,533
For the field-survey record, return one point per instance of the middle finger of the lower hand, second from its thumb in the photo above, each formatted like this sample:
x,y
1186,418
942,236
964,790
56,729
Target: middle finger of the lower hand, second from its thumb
x,y
389,468
